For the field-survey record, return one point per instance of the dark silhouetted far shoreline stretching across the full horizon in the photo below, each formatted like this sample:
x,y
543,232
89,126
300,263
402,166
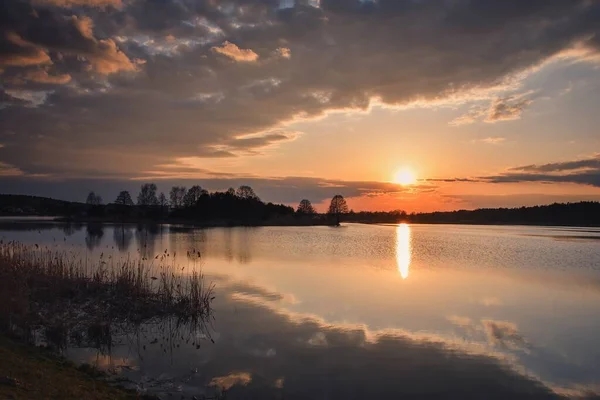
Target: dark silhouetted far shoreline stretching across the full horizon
x,y
233,211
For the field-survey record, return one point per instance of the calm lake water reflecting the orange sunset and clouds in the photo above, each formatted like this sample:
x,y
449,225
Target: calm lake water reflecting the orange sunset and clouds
x,y
363,311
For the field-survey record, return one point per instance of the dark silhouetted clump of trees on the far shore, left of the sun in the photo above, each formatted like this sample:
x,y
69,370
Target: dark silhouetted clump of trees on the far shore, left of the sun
x,y
233,206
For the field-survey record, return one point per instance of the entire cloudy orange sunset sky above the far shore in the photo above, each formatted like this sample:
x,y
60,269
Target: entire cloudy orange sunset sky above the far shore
x,y
395,104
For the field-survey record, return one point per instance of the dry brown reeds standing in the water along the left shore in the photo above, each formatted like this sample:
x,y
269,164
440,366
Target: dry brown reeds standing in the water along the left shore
x,y
42,287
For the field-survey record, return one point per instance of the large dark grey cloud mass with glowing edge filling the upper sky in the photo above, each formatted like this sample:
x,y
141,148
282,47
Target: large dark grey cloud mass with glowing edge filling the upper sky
x,y
153,81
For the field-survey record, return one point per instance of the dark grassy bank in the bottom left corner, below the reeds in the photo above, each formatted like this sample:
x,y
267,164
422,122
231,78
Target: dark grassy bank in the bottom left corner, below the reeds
x,y
27,372
